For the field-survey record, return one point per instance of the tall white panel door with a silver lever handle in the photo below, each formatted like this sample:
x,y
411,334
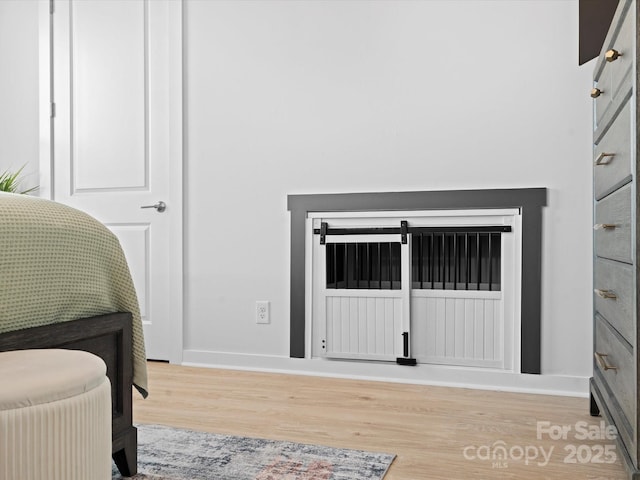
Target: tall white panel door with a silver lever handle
x,y
118,142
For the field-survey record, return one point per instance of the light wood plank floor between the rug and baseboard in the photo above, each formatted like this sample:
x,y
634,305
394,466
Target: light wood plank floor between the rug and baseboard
x,y
429,428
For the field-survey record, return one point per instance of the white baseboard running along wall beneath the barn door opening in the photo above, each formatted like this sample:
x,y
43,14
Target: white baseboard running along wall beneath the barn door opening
x,y
438,375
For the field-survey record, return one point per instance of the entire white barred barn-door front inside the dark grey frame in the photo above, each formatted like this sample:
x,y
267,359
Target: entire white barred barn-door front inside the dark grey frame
x,y
447,294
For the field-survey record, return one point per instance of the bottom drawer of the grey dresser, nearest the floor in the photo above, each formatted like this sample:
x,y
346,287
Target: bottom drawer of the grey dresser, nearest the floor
x,y
614,362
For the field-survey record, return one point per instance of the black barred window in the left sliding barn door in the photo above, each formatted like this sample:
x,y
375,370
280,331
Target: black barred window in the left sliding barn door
x,y
372,265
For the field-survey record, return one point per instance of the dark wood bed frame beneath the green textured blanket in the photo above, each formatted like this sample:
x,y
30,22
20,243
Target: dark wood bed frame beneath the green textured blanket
x,y
110,337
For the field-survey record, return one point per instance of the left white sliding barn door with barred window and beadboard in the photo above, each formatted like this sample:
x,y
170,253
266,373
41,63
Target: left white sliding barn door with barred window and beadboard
x,y
364,300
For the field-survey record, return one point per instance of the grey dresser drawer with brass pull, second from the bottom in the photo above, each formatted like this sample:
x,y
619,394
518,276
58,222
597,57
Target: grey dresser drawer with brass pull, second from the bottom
x,y
613,294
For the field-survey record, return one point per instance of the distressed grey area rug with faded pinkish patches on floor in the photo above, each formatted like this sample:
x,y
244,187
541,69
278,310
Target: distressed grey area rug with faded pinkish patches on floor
x,y
166,453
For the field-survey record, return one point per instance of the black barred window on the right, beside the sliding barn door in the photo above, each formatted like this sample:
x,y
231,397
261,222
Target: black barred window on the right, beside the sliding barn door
x,y
456,261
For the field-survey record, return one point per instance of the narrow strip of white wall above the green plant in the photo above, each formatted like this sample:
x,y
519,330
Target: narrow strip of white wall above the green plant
x,y
19,100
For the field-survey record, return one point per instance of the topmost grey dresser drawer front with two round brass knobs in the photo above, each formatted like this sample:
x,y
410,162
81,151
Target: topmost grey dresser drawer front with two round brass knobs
x,y
612,76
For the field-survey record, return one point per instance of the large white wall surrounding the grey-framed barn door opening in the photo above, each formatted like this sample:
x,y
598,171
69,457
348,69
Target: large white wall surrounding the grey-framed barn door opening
x,y
315,97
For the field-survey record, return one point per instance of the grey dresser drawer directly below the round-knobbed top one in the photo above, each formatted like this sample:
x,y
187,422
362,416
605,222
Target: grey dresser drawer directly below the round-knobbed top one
x,y
612,156
